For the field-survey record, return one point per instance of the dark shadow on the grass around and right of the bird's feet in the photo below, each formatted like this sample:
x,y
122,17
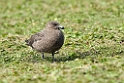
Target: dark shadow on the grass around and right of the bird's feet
x,y
36,57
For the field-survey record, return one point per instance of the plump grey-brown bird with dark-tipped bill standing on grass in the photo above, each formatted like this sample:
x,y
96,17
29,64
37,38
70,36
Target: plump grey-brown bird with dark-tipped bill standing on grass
x,y
48,40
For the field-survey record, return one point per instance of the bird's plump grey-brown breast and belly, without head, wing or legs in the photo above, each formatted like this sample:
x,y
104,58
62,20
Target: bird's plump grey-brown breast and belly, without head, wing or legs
x,y
51,41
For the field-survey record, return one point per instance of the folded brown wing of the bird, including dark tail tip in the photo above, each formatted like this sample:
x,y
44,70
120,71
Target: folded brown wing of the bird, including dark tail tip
x,y
34,38
